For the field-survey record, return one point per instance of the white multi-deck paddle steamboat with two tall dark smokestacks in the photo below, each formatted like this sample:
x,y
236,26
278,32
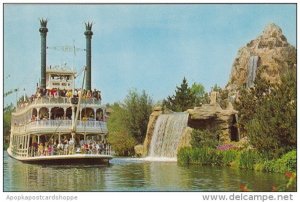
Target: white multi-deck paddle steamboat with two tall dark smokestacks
x,y
61,124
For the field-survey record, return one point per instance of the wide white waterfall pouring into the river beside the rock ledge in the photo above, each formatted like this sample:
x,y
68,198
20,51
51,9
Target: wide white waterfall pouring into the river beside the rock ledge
x,y
166,135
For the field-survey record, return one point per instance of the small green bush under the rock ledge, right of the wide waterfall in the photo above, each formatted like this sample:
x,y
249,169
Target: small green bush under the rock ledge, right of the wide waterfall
x,y
204,138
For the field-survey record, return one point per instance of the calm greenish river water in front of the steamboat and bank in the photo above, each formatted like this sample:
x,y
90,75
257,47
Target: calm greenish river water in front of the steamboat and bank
x,y
124,174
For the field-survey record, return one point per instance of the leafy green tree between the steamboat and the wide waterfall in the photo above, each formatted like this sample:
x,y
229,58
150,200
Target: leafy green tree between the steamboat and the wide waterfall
x,y
128,122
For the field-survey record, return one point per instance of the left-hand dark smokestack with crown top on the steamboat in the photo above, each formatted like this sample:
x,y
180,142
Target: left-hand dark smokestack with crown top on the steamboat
x,y
43,30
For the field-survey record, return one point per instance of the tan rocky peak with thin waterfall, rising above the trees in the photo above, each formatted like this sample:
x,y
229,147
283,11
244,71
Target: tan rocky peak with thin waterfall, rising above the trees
x,y
270,54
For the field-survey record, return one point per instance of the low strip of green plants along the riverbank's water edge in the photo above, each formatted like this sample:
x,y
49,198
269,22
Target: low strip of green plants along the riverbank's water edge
x,y
244,159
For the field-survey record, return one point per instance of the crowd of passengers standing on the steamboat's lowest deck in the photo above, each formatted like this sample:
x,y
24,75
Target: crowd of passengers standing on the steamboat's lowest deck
x,y
67,147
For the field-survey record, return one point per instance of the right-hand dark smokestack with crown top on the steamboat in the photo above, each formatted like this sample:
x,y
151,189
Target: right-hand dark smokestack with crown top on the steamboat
x,y
88,35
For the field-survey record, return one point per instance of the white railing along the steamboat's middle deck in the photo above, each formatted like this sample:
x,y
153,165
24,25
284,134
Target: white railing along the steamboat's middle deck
x,y
58,125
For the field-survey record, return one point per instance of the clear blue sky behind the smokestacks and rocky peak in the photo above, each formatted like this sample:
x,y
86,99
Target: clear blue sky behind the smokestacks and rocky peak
x,y
138,46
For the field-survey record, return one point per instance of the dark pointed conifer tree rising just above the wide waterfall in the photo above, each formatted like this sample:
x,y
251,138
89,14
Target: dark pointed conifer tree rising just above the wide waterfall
x,y
183,99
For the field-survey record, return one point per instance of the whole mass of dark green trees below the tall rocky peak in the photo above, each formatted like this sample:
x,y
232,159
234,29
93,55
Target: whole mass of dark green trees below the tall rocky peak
x,y
268,115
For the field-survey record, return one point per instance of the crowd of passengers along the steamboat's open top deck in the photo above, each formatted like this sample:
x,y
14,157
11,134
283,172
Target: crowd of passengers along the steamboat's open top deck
x,y
56,93
